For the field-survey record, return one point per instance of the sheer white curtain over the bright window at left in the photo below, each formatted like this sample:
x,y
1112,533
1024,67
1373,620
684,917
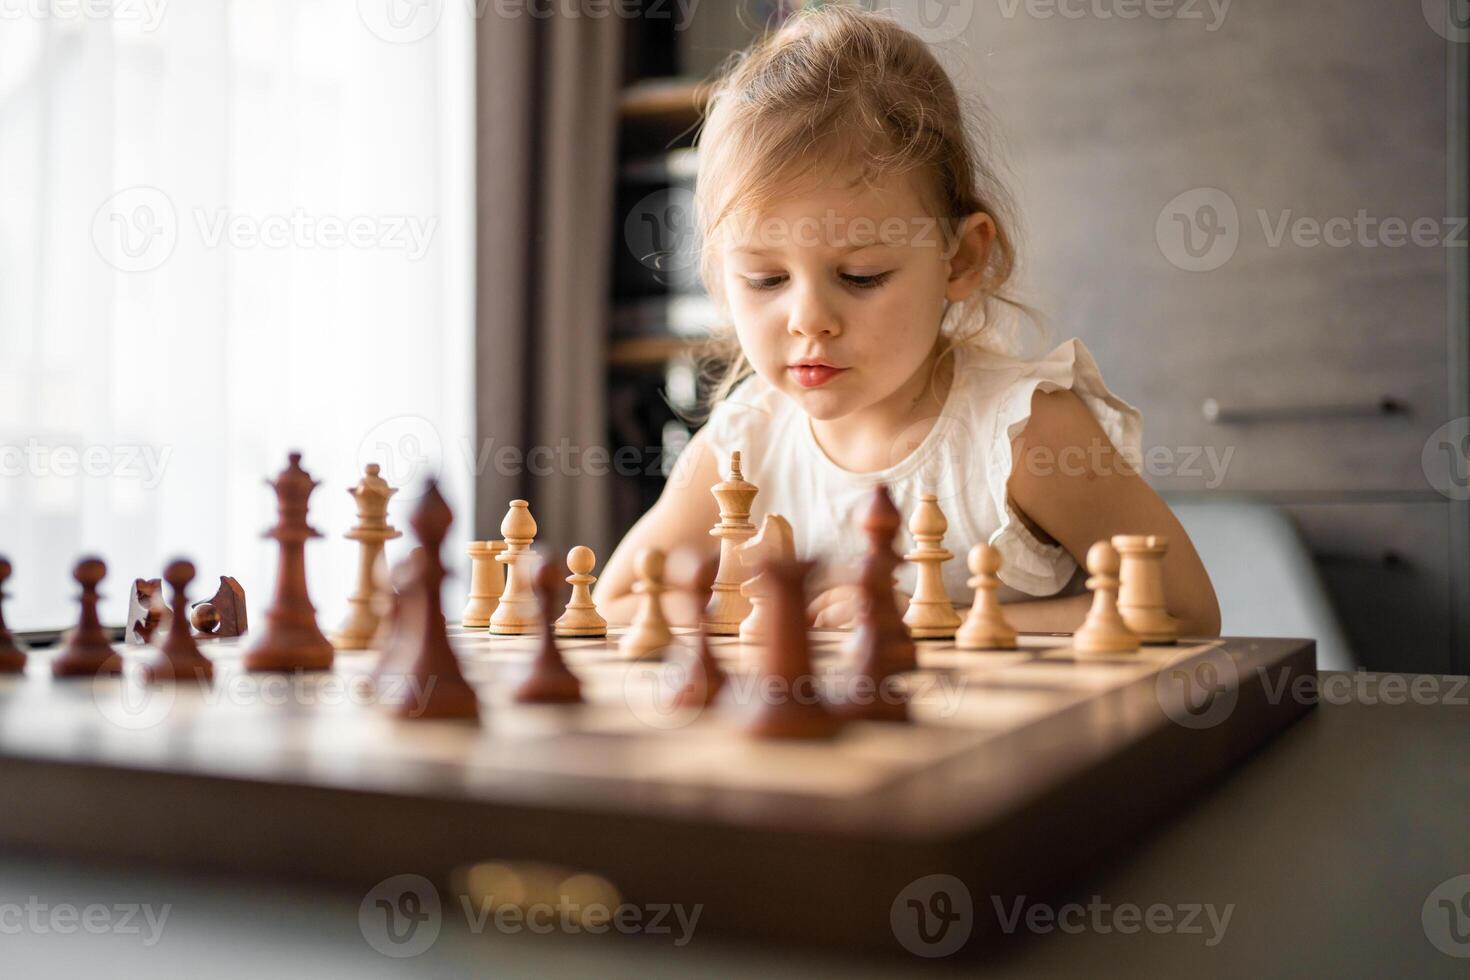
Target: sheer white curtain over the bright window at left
x,y
227,230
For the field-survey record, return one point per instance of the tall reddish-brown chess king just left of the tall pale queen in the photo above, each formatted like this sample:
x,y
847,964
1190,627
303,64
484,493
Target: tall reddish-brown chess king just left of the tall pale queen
x,y
292,640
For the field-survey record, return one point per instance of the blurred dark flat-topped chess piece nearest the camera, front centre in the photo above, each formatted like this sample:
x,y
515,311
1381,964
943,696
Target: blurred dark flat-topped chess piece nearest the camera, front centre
x,y
790,705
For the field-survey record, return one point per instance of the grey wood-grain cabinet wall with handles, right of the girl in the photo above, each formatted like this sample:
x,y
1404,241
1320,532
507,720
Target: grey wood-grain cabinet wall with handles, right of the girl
x,y
1294,109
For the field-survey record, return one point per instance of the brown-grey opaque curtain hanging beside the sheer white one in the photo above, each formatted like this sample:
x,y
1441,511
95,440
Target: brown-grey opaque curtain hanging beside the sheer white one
x,y
546,156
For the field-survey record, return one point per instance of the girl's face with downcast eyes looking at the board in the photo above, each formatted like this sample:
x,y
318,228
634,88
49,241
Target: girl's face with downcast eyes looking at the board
x,y
839,295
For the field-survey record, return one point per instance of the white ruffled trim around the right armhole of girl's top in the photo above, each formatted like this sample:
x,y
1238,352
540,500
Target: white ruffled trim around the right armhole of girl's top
x,y
1030,565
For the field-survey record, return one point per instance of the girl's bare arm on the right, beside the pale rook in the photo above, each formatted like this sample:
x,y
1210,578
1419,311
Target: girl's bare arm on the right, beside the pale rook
x,y
1072,483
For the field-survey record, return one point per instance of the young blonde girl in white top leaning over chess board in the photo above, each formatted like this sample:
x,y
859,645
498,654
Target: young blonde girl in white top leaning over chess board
x,y
864,248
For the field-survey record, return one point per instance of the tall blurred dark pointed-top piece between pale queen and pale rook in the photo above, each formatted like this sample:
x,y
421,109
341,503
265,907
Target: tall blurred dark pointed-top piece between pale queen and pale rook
x,y
424,678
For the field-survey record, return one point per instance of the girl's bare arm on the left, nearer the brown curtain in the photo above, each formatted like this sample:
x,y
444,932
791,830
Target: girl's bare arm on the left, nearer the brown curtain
x,y
681,519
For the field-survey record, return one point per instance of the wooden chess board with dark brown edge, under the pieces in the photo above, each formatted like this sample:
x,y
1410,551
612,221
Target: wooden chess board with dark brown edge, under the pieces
x,y
1017,771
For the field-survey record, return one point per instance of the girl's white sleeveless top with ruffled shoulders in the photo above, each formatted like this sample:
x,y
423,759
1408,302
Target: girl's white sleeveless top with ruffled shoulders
x,y
965,459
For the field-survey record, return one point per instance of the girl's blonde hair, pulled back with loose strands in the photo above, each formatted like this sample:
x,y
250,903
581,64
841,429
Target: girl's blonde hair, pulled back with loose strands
x,y
842,86
